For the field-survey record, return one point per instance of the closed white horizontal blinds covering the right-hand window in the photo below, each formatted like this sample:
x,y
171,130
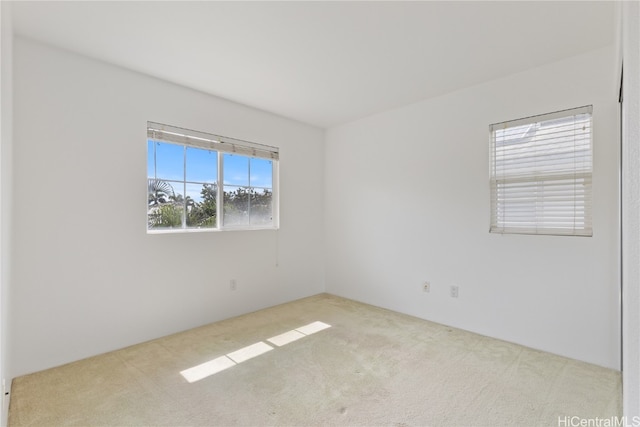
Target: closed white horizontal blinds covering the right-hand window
x,y
541,171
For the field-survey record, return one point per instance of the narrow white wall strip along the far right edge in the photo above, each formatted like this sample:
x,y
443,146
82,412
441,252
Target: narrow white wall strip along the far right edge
x,y
630,42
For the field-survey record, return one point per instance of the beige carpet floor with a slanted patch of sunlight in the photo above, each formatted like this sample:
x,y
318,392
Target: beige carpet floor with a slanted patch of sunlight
x,y
368,366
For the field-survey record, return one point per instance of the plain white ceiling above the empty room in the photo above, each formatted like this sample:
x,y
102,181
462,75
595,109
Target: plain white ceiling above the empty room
x,y
322,63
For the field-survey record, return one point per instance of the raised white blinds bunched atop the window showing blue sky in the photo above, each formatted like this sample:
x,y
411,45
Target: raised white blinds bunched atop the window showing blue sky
x,y
192,138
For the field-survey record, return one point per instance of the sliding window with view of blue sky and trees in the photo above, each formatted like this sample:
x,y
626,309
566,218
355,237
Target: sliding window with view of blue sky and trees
x,y
199,181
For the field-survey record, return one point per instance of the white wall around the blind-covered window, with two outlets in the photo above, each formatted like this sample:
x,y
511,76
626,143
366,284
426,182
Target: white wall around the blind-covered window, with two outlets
x,y
407,200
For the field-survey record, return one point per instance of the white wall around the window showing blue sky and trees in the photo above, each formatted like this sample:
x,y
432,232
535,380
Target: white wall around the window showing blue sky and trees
x,y
87,277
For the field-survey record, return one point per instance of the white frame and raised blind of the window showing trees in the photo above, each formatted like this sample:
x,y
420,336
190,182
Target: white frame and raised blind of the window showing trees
x,y
222,145
